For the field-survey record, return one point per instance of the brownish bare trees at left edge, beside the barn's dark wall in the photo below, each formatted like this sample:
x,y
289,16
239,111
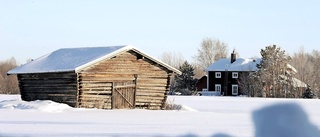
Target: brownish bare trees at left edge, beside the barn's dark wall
x,y
8,84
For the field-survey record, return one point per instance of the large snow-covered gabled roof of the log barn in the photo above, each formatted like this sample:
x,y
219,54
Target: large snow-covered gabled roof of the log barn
x,y
74,59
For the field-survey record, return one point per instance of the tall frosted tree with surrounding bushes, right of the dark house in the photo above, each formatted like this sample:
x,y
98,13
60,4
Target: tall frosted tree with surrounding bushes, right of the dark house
x,y
274,78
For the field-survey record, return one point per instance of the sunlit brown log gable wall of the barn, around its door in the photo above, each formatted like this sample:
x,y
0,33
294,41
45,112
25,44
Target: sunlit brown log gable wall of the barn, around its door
x,y
153,81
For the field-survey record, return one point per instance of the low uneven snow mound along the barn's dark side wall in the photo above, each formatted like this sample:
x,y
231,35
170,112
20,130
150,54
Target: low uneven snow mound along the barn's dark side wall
x,y
42,105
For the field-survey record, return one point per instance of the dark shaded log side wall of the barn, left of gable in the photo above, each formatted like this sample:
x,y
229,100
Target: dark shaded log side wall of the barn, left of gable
x,y
58,87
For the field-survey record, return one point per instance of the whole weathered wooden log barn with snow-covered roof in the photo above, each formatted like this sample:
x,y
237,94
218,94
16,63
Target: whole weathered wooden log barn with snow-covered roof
x,y
117,77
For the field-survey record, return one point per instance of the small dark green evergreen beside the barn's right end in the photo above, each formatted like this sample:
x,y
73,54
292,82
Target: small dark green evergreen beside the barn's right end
x,y
185,83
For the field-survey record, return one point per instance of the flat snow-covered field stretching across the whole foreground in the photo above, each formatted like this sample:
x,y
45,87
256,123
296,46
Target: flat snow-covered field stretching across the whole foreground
x,y
201,116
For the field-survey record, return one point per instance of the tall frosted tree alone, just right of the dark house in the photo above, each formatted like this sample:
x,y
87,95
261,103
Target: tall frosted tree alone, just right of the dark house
x,y
275,73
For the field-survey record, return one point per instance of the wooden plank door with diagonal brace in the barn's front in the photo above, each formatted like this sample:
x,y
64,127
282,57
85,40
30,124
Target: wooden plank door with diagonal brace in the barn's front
x,y
123,95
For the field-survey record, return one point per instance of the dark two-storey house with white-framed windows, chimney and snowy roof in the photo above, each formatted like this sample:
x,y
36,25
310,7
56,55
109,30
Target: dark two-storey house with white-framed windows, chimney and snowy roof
x,y
223,75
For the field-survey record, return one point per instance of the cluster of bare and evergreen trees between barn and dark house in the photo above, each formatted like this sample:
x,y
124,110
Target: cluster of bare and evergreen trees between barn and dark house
x,y
210,51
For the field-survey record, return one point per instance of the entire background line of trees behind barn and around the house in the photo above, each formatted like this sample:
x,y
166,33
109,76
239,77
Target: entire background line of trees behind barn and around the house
x,y
272,80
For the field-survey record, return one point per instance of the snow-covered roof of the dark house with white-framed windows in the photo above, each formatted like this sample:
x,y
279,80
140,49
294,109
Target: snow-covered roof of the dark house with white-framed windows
x,y
241,64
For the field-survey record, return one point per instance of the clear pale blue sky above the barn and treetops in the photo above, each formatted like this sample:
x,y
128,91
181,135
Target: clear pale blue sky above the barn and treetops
x,y
32,28
